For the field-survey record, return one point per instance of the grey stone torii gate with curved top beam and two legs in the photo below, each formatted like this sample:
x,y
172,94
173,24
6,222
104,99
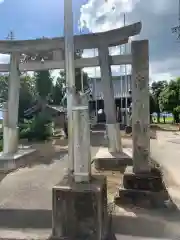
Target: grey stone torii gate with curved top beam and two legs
x,y
49,54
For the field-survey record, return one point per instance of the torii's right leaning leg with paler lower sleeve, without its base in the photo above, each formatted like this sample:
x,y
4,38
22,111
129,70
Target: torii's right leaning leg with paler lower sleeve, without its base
x,y
109,103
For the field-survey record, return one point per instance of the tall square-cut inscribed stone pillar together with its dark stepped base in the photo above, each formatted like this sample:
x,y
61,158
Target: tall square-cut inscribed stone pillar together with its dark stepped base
x,y
142,181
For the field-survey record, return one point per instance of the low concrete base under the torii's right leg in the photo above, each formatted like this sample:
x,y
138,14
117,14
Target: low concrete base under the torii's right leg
x,y
105,160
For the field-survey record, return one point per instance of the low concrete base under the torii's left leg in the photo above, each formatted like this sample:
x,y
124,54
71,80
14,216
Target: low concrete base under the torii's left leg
x,y
9,162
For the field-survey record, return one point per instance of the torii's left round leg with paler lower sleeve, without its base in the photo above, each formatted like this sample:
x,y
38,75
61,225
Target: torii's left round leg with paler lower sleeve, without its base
x,y
13,103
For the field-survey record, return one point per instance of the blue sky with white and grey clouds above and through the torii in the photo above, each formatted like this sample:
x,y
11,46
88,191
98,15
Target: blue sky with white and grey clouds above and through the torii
x,y
30,19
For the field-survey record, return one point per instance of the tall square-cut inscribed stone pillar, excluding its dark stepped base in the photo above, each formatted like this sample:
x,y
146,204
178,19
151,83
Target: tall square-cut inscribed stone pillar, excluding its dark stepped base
x,y
140,106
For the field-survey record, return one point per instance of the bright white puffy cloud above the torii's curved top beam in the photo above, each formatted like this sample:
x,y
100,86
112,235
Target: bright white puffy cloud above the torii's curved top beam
x,y
95,14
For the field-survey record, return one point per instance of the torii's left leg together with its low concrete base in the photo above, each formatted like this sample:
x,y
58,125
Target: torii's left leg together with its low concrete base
x,y
11,154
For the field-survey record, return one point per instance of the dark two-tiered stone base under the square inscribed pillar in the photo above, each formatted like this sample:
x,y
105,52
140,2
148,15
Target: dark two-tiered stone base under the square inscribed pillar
x,y
144,189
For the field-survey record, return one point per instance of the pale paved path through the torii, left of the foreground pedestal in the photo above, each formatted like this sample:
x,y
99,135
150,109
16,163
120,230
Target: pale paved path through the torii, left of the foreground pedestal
x,y
26,198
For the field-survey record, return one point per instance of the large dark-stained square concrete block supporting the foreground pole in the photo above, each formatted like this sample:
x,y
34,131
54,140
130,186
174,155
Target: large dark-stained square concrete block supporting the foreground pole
x,y
80,209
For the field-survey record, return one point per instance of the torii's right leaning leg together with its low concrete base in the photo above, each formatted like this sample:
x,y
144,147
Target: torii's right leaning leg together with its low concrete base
x,y
113,157
